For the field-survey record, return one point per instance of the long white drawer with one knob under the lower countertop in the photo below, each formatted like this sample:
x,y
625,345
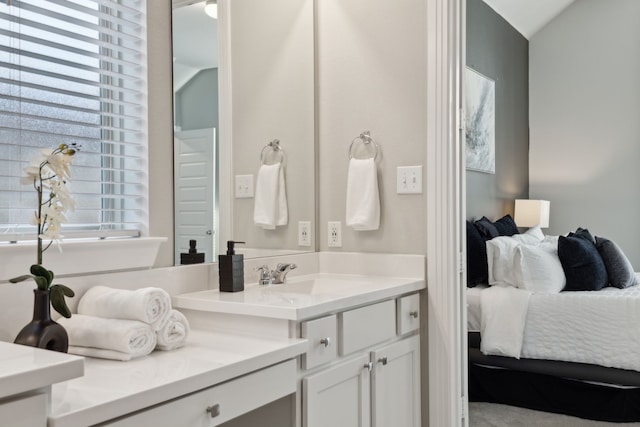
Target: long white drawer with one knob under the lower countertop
x,y
218,404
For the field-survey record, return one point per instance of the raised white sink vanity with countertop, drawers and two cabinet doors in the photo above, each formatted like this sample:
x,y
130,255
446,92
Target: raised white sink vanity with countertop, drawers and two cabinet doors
x,y
362,364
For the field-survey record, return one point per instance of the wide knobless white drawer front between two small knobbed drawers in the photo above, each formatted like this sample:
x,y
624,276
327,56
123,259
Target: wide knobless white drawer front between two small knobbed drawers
x,y
366,326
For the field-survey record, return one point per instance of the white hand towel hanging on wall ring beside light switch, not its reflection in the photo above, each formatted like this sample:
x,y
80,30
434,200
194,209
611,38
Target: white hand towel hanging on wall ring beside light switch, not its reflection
x,y
363,200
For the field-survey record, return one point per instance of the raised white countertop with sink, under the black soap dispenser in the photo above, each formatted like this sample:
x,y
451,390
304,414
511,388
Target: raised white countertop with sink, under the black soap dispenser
x,y
302,297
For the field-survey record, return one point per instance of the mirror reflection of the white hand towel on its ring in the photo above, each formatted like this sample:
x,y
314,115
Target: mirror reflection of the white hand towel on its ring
x,y
270,208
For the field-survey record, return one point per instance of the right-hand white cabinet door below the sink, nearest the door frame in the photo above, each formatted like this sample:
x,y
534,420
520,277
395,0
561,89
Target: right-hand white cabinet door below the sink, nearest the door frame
x,y
395,387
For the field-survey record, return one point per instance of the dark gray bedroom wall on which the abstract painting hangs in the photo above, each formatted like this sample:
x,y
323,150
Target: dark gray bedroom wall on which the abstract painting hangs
x,y
498,51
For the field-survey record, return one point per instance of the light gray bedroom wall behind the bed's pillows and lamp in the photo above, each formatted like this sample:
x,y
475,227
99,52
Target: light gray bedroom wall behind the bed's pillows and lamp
x,y
584,118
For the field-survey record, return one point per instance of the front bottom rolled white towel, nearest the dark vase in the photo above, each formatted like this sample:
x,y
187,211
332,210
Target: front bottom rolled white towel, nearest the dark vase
x,y
108,338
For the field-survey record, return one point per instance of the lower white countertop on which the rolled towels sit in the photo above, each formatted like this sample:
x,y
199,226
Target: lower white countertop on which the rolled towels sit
x,y
111,389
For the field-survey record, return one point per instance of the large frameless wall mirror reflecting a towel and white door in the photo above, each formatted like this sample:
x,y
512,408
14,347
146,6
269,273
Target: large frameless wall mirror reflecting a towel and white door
x,y
243,80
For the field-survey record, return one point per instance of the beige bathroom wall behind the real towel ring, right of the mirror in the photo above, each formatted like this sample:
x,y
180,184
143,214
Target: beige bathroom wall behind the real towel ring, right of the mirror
x,y
372,71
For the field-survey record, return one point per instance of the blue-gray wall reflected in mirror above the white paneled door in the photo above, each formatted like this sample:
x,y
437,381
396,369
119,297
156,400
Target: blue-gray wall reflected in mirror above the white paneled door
x,y
197,101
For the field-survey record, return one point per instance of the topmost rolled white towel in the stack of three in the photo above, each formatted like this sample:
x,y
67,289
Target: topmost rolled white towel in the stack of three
x,y
150,305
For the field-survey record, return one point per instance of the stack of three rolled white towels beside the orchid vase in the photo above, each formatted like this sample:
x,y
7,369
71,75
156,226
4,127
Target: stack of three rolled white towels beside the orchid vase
x,y
124,324
